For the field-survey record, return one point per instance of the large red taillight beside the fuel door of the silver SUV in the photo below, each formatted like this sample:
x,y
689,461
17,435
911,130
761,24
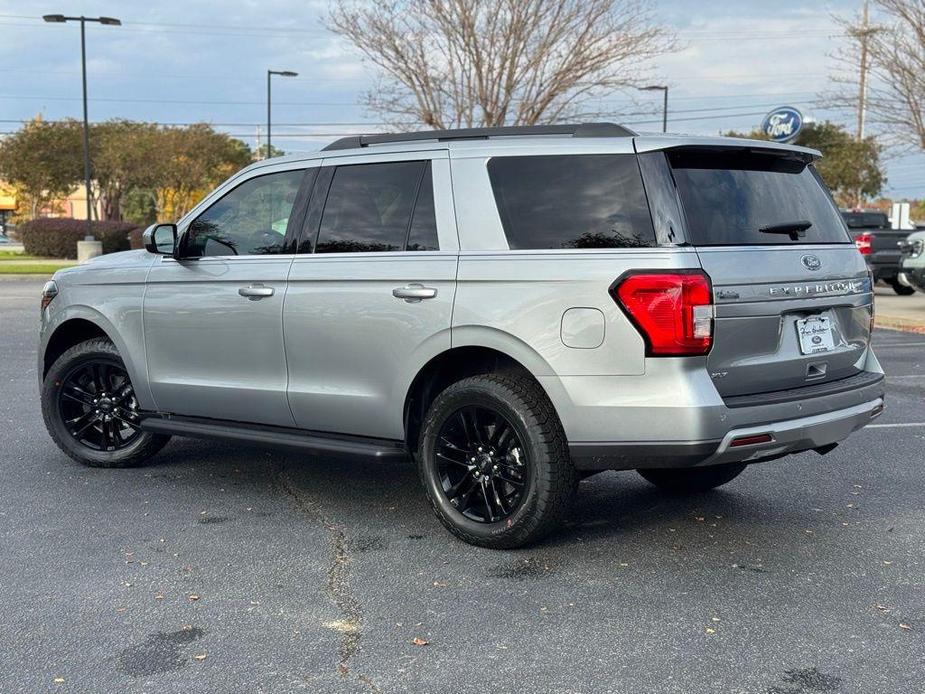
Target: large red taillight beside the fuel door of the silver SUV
x,y
672,310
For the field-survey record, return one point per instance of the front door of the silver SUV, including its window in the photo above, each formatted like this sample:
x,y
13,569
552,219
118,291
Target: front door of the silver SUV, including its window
x,y
213,320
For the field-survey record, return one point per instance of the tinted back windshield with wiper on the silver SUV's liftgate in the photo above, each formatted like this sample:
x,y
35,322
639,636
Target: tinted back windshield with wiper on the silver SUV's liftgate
x,y
728,198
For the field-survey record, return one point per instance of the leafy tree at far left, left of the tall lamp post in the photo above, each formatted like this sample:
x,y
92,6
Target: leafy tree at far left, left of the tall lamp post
x,y
43,160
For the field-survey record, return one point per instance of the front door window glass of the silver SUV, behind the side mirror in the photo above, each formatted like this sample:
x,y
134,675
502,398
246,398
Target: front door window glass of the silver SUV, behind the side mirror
x,y
249,220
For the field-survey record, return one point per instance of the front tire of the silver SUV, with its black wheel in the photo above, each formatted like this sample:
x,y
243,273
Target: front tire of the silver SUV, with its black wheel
x,y
136,447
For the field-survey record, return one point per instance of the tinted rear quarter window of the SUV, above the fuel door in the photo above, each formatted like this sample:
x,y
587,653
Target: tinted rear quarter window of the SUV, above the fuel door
x,y
571,201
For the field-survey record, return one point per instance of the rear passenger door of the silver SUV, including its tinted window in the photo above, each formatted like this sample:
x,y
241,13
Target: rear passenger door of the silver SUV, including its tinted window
x,y
371,292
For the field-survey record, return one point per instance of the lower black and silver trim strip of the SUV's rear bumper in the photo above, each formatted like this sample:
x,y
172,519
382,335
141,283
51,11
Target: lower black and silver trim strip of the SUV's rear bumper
x,y
783,438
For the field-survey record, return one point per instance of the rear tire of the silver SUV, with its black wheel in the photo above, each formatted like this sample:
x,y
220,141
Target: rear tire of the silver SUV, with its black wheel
x,y
538,458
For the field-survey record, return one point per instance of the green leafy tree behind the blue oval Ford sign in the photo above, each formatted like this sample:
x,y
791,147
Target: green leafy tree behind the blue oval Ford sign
x,y
851,169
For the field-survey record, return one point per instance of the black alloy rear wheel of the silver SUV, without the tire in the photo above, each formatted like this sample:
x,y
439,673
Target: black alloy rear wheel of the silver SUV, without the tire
x,y
481,464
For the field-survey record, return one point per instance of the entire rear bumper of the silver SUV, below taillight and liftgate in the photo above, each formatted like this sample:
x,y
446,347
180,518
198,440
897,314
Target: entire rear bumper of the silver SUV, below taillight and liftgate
x,y
673,416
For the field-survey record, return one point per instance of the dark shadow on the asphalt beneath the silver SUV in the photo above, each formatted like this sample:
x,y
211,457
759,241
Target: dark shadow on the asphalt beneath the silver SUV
x,y
361,494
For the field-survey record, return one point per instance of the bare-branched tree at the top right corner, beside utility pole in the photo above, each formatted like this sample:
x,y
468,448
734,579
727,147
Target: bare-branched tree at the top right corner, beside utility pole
x,y
895,59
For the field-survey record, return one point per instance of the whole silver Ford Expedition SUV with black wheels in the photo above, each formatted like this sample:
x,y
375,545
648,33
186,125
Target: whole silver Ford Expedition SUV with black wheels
x,y
515,308
